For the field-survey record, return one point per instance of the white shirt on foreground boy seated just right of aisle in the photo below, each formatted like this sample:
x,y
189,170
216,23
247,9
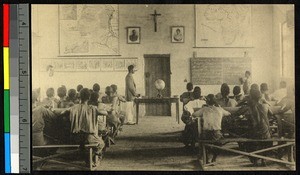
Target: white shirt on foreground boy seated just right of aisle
x,y
212,117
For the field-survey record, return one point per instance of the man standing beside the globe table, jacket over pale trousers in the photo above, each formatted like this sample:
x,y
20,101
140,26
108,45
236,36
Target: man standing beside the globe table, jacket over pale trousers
x,y
130,94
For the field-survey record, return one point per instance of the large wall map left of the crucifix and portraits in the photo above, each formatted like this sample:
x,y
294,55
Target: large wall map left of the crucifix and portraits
x,y
88,29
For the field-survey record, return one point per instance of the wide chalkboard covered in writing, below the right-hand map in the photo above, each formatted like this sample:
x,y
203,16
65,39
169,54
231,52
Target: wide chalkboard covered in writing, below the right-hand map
x,y
215,71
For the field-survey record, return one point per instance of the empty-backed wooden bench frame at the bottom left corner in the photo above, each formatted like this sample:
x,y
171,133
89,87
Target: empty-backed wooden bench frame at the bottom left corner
x,y
75,149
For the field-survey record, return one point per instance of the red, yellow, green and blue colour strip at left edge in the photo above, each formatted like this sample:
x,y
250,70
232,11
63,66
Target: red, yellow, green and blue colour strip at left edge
x,y
6,88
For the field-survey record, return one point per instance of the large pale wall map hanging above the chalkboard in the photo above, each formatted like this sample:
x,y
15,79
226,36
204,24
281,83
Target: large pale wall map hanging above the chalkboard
x,y
223,26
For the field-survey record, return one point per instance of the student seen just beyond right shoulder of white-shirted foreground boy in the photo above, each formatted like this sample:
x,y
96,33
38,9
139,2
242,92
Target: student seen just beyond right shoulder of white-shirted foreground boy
x,y
225,101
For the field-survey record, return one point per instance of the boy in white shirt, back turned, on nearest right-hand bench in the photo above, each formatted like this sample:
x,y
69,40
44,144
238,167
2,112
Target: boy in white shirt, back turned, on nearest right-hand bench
x,y
212,119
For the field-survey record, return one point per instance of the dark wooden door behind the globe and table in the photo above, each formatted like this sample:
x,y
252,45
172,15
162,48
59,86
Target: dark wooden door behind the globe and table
x,y
157,67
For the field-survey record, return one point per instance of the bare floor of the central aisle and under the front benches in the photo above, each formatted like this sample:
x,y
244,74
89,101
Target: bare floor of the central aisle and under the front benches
x,y
154,145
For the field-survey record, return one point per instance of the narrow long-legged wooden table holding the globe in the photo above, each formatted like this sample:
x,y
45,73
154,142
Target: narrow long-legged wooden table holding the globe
x,y
168,100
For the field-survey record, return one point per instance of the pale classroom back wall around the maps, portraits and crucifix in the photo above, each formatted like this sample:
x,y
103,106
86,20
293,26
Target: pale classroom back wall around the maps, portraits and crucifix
x,y
45,45
